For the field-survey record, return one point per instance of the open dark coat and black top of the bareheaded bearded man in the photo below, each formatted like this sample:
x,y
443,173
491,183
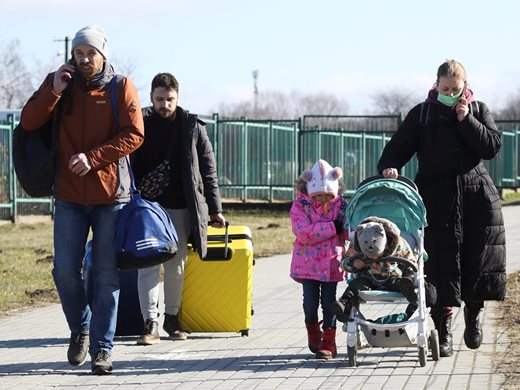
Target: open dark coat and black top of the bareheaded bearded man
x,y
198,168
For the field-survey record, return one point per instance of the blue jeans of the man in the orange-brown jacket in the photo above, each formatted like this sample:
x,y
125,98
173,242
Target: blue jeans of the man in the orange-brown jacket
x,y
72,223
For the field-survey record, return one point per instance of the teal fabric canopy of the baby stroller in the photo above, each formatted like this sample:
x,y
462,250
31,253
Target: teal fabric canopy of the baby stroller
x,y
392,199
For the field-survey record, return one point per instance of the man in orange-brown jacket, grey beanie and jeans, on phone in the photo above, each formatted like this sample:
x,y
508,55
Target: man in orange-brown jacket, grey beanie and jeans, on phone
x,y
91,185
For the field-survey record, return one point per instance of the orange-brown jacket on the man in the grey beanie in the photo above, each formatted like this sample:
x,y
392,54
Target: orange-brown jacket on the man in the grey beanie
x,y
87,126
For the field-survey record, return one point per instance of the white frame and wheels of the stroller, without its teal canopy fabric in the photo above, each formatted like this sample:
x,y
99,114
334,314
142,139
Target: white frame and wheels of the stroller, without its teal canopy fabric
x,y
412,332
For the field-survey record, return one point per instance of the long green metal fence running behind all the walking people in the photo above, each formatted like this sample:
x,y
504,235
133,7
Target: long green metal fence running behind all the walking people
x,y
258,161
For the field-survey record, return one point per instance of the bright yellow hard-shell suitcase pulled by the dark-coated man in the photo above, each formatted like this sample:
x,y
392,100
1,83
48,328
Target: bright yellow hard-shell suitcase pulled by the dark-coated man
x,y
217,295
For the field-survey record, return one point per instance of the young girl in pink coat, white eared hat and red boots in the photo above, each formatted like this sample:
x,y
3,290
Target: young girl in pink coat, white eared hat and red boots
x,y
317,217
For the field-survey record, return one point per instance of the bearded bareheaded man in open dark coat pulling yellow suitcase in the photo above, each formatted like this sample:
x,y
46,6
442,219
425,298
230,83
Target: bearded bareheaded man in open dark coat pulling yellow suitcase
x,y
177,142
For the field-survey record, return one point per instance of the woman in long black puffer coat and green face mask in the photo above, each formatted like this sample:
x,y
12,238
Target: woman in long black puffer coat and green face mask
x,y
465,239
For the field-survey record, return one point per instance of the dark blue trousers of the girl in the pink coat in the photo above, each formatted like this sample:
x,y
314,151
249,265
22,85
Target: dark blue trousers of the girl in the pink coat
x,y
314,293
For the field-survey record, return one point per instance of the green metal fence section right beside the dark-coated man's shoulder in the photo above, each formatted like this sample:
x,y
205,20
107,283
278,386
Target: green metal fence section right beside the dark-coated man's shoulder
x,y
256,160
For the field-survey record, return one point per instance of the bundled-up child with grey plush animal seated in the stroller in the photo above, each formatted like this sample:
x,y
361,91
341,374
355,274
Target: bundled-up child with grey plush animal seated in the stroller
x,y
373,241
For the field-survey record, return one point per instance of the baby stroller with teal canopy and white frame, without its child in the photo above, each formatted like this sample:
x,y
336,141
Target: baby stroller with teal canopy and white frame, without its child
x,y
397,200
